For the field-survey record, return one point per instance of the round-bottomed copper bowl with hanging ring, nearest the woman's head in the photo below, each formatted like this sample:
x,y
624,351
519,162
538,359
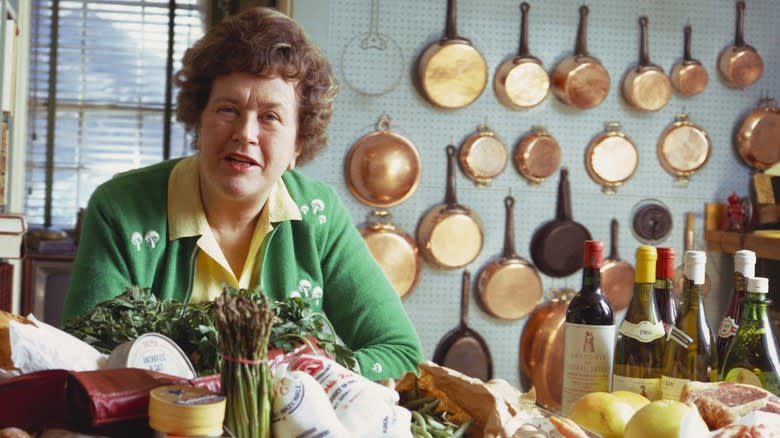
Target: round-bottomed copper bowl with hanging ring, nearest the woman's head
x,y
382,168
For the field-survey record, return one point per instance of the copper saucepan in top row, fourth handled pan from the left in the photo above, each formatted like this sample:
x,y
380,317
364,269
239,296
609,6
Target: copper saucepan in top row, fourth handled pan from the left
x,y
646,86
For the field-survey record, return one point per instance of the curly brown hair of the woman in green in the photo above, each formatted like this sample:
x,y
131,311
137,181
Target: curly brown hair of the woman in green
x,y
265,42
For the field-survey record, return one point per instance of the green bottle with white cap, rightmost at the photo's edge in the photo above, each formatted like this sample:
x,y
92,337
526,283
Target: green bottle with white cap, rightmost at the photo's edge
x,y
753,355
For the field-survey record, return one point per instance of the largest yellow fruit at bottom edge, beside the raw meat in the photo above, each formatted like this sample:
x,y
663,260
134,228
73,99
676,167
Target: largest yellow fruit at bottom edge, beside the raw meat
x,y
666,419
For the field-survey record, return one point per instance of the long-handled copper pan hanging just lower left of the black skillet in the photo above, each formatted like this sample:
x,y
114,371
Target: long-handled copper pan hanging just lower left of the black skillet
x,y
509,287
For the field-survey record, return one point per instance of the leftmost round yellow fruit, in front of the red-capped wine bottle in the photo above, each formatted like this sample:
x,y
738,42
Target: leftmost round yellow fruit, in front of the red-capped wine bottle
x,y
603,413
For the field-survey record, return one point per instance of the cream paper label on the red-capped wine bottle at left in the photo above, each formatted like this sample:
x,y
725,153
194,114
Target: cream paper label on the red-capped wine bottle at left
x,y
587,361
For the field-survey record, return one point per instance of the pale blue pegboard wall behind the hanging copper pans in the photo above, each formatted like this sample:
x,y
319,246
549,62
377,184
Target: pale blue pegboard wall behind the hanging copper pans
x,y
493,28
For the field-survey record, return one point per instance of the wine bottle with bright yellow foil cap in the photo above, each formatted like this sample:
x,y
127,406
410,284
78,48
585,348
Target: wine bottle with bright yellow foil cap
x,y
639,348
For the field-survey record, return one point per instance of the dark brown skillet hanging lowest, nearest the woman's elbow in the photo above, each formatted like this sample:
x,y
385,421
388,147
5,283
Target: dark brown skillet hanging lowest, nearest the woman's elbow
x,y
462,348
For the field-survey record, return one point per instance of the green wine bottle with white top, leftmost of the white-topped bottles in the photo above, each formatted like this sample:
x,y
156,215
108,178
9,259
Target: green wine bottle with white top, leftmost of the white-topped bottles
x,y
690,352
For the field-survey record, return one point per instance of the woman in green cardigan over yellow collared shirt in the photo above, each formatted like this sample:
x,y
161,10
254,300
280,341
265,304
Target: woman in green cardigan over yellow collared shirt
x,y
258,95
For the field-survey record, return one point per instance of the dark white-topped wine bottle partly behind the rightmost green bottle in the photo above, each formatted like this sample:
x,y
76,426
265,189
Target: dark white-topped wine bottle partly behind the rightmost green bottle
x,y
744,267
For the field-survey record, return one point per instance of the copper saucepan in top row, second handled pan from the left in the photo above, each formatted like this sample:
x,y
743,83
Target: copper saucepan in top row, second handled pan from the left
x,y
521,82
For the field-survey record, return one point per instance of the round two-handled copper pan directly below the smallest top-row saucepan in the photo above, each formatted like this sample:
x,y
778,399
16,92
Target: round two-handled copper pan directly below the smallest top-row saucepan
x,y
683,148
